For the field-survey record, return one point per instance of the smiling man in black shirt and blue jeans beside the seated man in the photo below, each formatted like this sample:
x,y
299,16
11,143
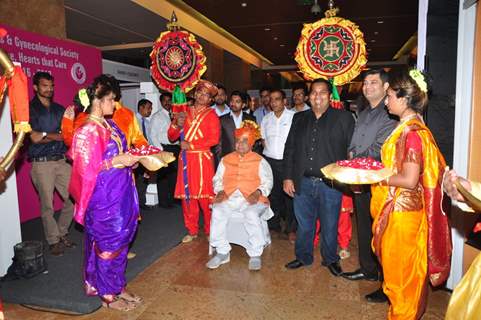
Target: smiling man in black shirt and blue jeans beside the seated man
x,y
317,137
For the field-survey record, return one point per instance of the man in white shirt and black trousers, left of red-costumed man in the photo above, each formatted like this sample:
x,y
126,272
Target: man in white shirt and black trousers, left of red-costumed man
x,y
159,124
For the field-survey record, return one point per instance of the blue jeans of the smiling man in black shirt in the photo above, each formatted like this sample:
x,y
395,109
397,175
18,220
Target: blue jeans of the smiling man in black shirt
x,y
317,200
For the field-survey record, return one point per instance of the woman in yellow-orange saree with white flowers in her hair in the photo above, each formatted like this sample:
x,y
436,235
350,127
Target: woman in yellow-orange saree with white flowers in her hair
x,y
411,236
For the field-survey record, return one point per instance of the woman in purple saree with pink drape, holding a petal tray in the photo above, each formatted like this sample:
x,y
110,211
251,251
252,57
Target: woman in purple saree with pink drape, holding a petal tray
x,y
105,195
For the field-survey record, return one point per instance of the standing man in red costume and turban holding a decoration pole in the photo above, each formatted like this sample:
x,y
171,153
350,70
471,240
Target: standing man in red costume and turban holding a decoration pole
x,y
200,127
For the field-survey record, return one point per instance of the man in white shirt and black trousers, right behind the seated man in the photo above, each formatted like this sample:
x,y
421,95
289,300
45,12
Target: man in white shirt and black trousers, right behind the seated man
x,y
274,131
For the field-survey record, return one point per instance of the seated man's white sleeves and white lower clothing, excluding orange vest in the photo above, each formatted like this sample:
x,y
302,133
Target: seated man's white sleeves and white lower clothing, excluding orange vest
x,y
254,216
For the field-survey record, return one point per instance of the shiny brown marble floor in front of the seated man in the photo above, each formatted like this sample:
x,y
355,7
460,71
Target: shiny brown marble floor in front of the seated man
x,y
178,286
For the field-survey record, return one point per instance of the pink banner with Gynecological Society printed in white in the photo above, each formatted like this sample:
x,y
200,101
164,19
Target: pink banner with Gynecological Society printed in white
x,y
72,65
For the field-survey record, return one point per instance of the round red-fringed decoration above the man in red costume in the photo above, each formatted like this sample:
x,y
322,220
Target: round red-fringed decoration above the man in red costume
x,y
177,59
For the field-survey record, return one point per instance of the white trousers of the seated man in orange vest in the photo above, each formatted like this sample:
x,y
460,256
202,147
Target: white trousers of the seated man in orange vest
x,y
237,206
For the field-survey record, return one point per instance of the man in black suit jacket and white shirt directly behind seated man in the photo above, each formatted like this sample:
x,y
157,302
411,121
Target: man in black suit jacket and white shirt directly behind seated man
x,y
231,121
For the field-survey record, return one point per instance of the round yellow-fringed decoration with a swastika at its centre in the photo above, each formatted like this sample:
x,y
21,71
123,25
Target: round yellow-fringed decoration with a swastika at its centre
x,y
331,48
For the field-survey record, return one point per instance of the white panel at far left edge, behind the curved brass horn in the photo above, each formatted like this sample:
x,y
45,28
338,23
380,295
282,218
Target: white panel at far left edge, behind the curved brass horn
x,y
9,214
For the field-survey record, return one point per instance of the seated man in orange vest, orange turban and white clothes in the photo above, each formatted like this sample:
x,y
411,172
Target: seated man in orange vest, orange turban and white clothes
x,y
242,183
